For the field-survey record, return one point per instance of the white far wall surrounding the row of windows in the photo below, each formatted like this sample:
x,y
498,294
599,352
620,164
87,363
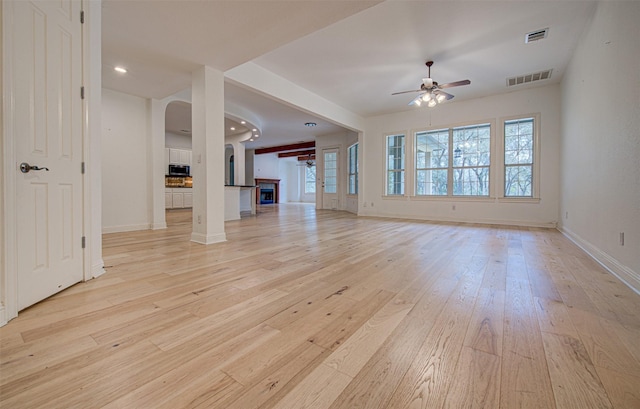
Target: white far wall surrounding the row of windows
x,y
542,100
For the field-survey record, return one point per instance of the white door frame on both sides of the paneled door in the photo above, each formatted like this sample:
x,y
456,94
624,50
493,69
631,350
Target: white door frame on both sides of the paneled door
x,y
93,265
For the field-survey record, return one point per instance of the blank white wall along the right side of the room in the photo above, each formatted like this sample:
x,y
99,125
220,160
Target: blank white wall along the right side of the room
x,y
600,195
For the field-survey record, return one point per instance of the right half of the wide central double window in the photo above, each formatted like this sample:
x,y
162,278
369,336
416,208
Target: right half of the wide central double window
x,y
471,160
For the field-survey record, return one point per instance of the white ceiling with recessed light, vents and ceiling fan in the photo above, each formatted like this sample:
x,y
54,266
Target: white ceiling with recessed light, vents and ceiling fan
x,y
353,53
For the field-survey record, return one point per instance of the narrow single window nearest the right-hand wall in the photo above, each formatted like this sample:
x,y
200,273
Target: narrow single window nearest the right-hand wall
x,y
518,158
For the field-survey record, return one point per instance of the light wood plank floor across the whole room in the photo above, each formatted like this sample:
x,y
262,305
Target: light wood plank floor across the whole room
x,y
306,309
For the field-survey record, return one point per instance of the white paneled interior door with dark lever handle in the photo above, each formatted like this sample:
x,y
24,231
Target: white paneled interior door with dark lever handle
x,y
46,65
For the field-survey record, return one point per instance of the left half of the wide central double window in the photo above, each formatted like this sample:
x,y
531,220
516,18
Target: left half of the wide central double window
x,y
432,162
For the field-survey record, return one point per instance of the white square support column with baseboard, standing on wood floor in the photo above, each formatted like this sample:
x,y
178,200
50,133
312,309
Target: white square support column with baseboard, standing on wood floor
x,y
207,90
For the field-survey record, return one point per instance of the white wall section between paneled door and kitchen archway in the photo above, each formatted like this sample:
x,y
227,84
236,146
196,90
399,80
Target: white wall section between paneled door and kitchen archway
x,y
125,167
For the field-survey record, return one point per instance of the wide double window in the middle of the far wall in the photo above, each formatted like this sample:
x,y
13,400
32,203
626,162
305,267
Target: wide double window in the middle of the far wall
x,y
453,161
